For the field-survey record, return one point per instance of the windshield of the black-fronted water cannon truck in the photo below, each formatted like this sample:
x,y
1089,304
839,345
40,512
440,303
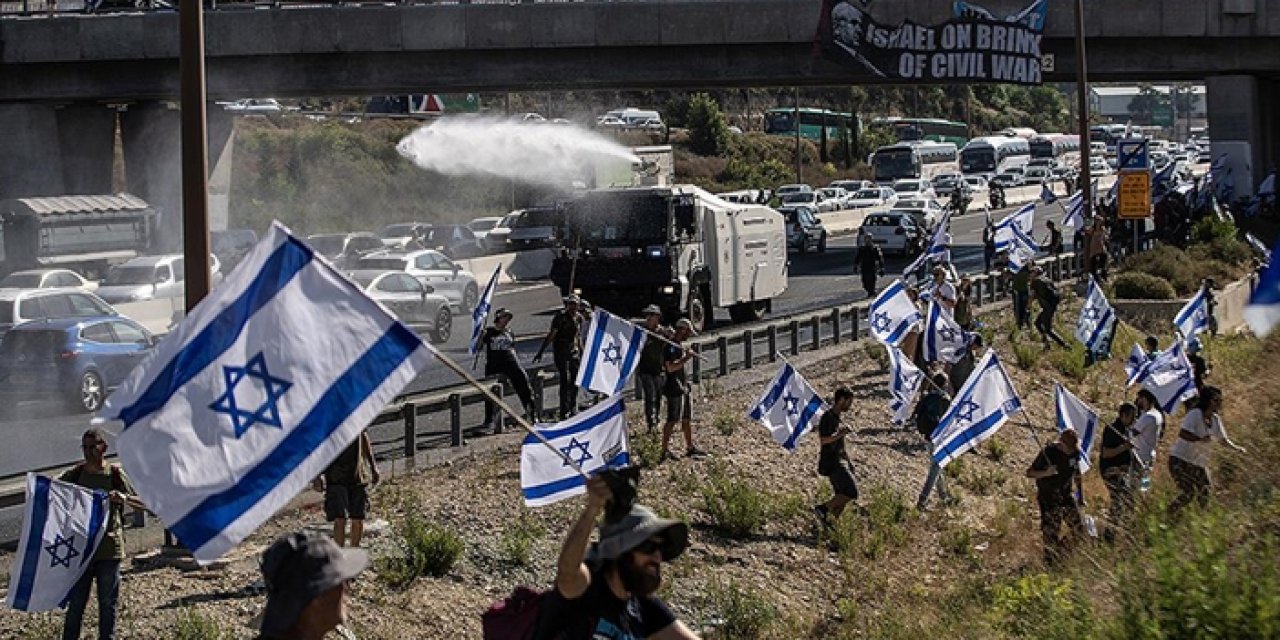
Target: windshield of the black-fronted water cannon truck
x,y
620,220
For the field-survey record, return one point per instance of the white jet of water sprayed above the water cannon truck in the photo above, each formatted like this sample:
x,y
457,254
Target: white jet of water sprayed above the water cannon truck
x,y
538,153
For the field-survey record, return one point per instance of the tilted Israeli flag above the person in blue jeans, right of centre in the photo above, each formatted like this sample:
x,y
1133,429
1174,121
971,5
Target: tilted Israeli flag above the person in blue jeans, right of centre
x,y
982,406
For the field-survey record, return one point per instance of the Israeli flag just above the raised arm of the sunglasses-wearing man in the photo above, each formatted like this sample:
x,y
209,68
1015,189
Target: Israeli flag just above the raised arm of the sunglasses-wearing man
x,y
593,440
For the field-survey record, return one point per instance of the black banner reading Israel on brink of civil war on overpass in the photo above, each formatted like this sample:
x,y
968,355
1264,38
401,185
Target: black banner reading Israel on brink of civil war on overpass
x,y
973,47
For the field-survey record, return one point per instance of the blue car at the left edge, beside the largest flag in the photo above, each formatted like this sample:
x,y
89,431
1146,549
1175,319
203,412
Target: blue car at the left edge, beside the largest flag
x,y
74,360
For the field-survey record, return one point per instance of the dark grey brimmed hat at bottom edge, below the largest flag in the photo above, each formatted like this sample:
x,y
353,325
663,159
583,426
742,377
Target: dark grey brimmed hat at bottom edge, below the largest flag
x,y
298,569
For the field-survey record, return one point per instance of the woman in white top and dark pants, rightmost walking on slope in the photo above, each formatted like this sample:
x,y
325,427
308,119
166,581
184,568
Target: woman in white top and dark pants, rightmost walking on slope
x,y
1188,459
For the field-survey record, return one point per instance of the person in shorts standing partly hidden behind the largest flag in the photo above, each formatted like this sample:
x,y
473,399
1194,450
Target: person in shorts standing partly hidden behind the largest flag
x,y
346,490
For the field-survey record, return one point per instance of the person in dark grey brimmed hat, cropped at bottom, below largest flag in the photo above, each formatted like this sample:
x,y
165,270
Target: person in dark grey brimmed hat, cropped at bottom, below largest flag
x,y
308,580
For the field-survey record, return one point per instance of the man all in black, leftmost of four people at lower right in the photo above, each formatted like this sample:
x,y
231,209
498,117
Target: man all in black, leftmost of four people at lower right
x,y
1057,472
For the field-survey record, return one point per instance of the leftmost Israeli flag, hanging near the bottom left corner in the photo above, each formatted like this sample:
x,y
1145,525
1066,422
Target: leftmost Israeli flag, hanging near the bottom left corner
x,y
62,528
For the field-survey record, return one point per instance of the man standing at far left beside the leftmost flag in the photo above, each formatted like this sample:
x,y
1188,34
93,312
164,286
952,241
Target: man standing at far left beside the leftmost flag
x,y
97,474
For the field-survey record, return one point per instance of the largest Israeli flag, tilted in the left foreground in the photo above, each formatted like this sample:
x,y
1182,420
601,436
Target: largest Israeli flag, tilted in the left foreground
x,y
257,392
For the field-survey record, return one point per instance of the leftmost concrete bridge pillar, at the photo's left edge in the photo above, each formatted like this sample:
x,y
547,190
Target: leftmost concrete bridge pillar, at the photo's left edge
x,y
31,163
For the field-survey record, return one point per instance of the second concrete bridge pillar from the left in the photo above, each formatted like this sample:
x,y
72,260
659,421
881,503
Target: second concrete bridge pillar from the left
x,y
86,136
